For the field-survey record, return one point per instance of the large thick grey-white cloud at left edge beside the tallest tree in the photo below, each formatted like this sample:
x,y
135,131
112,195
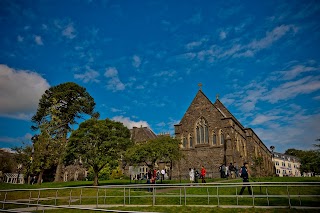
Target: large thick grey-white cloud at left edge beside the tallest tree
x,y
20,92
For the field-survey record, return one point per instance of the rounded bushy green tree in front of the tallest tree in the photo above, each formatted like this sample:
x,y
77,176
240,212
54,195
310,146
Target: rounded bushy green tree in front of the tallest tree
x,y
98,143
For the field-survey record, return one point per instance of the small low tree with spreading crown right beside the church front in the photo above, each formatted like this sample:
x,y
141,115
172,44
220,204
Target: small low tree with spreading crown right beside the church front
x,y
162,149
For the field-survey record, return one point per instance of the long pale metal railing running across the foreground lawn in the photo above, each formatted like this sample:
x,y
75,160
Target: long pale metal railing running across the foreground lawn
x,y
225,195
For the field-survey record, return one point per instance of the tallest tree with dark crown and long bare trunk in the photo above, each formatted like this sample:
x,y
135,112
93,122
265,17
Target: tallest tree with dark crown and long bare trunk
x,y
59,107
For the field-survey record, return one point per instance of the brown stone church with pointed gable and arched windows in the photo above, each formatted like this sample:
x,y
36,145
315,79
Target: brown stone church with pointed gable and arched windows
x,y
210,136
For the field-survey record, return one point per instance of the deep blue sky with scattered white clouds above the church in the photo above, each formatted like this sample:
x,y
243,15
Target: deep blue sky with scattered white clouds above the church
x,y
142,61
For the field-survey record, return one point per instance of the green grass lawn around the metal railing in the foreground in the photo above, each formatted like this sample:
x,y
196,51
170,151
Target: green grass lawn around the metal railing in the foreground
x,y
140,196
